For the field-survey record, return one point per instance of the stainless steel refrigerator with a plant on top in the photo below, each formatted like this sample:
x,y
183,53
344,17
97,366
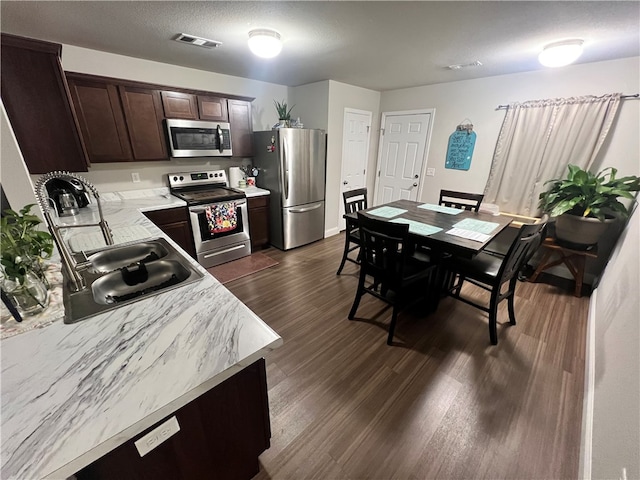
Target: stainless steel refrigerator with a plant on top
x,y
292,163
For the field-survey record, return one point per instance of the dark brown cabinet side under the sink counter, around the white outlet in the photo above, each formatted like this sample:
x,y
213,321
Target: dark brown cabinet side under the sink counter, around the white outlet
x,y
221,435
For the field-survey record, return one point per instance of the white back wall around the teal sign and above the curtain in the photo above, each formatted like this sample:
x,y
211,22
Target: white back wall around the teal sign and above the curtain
x,y
477,100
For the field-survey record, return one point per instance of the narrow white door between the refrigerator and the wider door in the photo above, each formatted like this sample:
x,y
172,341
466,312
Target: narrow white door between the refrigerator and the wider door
x,y
355,153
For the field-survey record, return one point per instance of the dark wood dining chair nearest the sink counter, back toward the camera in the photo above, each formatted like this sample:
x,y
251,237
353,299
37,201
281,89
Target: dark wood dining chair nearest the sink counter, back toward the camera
x,y
388,269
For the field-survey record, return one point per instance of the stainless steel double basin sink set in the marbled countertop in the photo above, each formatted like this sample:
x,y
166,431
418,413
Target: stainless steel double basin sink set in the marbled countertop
x,y
120,275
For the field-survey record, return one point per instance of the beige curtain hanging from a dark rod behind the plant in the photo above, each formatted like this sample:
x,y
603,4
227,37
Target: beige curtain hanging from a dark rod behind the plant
x,y
538,140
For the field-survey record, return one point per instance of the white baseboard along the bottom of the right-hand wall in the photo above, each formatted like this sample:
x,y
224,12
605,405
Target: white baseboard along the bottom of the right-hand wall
x,y
586,443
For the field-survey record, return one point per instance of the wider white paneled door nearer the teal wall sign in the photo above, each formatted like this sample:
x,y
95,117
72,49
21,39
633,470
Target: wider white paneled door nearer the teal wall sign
x,y
404,142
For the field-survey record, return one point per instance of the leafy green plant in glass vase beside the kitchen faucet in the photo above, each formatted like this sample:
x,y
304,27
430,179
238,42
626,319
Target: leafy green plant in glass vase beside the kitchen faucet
x,y
24,249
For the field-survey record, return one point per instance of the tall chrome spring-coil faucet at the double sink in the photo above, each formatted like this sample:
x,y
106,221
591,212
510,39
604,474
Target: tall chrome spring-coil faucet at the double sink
x,y
70,265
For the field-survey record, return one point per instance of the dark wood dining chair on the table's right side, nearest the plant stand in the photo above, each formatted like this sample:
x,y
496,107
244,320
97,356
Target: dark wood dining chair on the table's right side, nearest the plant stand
x,y
491,272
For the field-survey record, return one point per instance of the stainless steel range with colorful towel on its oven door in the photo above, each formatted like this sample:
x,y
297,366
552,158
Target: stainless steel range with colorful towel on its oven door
x,y
218,214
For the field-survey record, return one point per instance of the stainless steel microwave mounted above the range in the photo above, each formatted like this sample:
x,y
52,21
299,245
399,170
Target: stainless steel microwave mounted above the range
x,y
195,138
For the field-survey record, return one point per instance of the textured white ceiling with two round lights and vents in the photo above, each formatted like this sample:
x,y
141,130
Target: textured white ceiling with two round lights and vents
x,y
376,45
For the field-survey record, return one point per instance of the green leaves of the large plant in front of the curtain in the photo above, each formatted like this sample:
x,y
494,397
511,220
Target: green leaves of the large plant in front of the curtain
x,y
584,194
